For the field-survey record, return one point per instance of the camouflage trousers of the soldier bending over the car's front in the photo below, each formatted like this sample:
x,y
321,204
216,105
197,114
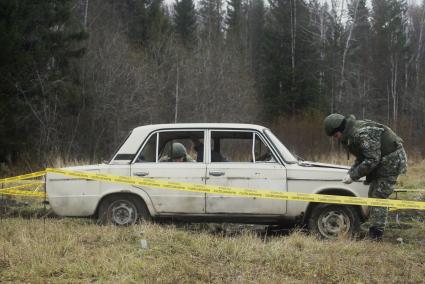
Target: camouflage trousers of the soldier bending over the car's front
x,y
382,186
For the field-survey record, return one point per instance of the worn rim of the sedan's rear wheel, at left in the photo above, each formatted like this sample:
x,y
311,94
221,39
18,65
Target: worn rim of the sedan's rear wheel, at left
x,y
123,213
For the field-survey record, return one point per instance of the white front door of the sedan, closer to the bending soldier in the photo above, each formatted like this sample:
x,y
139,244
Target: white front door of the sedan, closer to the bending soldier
x,y
243,159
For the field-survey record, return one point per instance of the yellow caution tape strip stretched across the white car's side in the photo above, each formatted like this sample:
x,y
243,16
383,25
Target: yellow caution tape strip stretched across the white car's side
x,y
224,190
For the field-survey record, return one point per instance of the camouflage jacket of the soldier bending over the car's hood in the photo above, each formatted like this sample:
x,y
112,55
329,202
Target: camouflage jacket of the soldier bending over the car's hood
x,y
373,145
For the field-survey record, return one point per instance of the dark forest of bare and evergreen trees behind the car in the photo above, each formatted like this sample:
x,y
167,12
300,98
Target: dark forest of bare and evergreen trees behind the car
x,y
77,75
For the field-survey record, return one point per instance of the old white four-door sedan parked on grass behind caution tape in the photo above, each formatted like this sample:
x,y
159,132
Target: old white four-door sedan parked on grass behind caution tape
x,y
237,155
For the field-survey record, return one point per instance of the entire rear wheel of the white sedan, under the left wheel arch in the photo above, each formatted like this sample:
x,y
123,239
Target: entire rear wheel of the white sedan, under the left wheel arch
x,y
122,210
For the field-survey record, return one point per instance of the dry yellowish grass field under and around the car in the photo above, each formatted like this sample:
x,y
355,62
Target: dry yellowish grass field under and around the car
x,y
39,249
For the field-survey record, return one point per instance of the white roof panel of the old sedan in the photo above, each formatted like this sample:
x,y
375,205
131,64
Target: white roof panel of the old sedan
x,y
152,127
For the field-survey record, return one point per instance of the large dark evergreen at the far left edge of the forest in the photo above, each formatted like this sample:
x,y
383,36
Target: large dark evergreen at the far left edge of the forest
x,y
39,40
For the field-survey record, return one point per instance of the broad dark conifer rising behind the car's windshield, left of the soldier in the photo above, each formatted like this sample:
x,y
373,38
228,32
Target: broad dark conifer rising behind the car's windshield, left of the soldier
x,y
290,66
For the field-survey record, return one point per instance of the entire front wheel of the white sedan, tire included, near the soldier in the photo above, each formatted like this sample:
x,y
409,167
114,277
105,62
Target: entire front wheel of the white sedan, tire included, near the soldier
x,y
333,221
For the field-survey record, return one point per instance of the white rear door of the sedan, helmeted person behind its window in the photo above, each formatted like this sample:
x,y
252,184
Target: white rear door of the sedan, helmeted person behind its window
x,y
157,160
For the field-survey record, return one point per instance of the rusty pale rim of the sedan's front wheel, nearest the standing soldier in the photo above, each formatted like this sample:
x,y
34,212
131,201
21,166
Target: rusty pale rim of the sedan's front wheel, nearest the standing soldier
x,y
333,223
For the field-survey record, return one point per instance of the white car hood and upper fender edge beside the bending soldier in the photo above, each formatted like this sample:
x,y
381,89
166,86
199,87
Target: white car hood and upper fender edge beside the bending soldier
x,y
316,171
